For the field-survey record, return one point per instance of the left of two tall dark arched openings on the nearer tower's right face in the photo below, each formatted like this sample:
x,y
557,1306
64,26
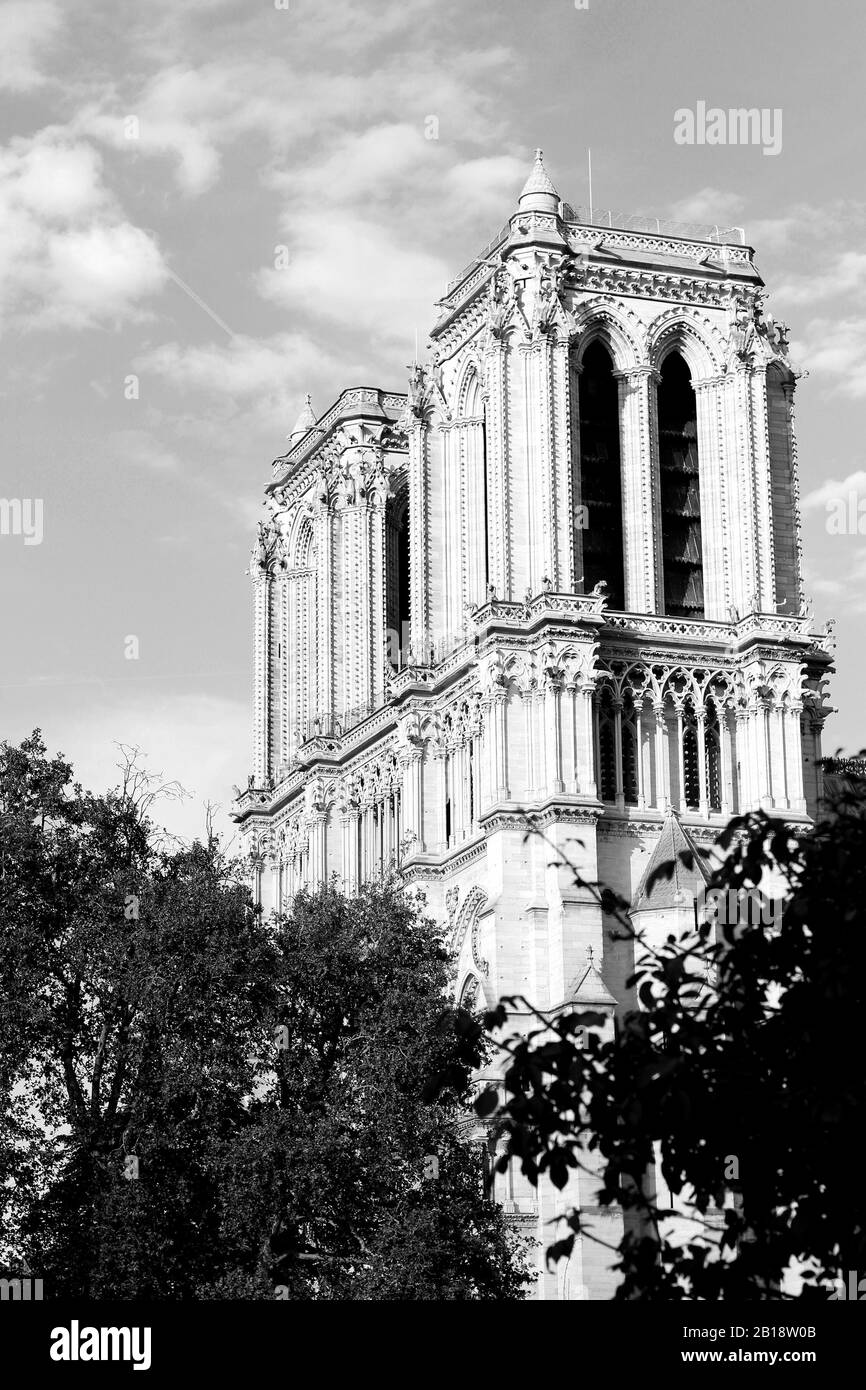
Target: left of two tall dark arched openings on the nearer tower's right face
x,y
601,493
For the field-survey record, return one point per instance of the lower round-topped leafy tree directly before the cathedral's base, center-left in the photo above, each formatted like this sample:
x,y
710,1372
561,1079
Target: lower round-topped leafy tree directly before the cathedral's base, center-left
x,y
363,1188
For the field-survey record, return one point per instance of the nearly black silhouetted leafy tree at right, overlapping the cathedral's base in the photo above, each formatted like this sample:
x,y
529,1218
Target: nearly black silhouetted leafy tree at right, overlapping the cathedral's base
x,y
742,1074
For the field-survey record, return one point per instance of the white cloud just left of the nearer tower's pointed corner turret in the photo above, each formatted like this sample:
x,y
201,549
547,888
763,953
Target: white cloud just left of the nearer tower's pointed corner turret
x,y
359,229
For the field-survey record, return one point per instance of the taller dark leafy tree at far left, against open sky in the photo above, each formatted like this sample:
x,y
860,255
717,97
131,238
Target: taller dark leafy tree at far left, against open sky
x,y
136,986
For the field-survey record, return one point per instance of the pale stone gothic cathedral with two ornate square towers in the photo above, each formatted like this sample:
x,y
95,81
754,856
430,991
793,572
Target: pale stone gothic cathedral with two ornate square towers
x,y
559,578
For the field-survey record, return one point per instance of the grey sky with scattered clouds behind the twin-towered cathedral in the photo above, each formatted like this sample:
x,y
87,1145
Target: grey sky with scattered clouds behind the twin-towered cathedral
x,y
209,209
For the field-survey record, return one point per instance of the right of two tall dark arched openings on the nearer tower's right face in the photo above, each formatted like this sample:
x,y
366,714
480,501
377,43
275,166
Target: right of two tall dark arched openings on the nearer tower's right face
x,y
682,548
